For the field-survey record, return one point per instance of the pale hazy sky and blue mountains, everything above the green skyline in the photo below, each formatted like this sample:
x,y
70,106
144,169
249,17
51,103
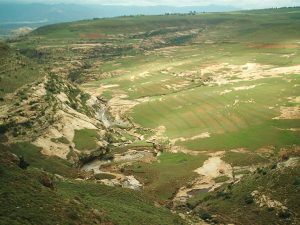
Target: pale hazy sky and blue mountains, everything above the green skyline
x,y
15,14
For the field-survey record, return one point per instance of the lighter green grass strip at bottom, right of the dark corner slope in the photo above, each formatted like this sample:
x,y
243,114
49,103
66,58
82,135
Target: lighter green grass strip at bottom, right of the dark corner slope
x,y
122,206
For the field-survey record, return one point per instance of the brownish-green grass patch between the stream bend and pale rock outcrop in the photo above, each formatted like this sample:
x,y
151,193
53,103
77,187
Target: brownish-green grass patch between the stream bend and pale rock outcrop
x,y
164,177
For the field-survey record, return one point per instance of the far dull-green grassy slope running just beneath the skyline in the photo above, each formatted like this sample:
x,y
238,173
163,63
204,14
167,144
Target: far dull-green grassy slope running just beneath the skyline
x,y
243,24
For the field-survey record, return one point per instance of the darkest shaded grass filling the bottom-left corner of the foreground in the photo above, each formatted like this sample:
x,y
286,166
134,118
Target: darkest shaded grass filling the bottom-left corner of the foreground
x,y
27,201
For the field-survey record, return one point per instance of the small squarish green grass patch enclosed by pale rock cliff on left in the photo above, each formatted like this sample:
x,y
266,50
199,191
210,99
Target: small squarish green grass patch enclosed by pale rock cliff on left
x,y
86,139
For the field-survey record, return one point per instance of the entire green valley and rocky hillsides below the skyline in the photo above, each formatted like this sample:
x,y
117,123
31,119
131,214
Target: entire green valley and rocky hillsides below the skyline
x,y
174,119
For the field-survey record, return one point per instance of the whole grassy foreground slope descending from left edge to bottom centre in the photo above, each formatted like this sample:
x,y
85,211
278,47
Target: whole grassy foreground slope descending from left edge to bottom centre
x,y
71,202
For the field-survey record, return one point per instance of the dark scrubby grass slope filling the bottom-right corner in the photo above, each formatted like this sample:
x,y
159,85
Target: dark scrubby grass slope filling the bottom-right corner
x,y
230,203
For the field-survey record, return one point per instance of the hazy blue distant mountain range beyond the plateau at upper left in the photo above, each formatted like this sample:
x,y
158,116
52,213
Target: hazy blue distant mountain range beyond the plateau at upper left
x,y
14,16
